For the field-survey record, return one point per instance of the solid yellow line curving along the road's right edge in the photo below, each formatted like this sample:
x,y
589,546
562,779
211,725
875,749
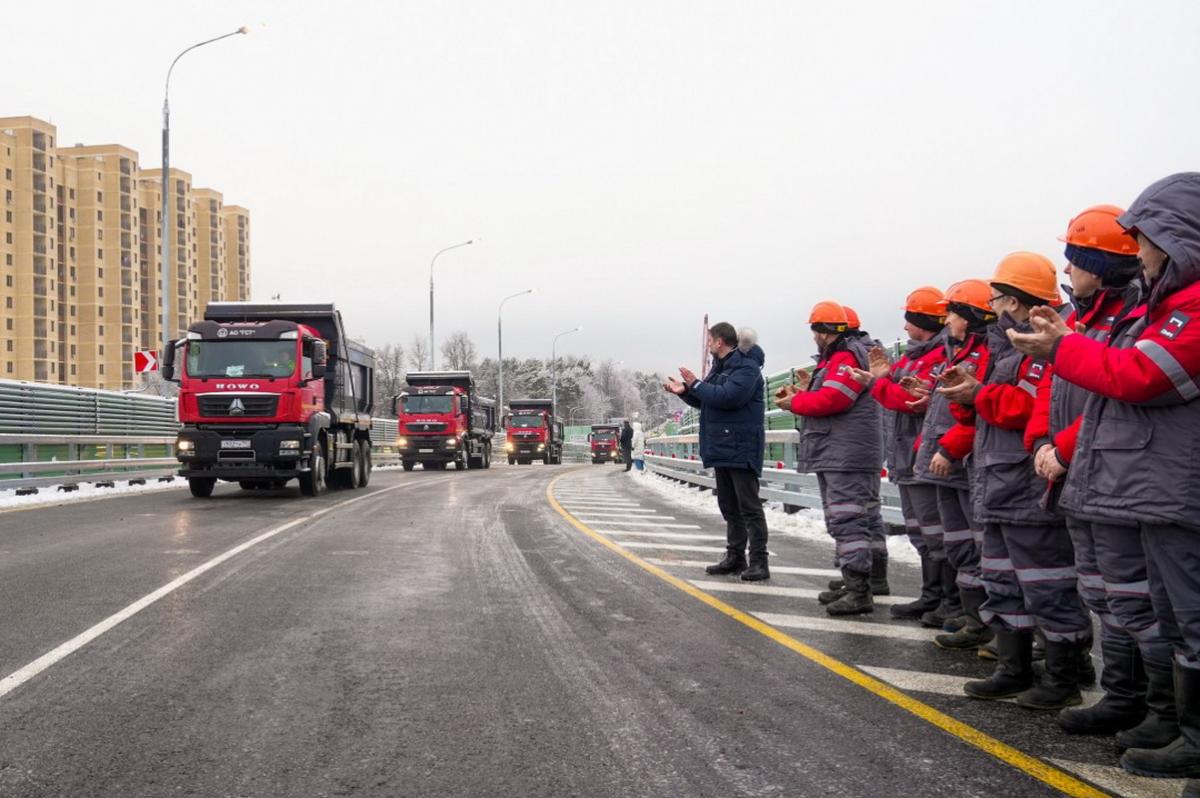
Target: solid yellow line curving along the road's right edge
x,y
1033,766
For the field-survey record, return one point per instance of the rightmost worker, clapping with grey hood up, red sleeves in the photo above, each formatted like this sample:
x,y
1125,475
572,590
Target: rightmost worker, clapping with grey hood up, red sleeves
x,y
1137,455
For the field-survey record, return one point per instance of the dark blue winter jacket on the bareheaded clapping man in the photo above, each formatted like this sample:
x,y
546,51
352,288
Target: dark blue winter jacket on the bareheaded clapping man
x,y
731,412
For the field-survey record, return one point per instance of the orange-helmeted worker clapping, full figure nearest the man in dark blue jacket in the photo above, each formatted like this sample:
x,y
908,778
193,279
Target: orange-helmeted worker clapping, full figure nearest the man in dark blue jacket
x,y
842,443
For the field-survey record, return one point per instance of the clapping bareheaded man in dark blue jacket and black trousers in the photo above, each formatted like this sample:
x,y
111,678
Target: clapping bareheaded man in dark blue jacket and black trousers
x,y
731,443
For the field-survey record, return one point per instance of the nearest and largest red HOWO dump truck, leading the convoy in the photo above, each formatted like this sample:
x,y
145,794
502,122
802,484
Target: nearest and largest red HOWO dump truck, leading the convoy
x,y
271,393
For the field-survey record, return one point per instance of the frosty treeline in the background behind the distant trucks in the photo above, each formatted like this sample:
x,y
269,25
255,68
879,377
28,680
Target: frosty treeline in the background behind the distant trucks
x,y
589,392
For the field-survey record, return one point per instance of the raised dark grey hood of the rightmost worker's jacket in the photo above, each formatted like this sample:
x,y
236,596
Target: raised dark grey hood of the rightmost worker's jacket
x,y
1168,213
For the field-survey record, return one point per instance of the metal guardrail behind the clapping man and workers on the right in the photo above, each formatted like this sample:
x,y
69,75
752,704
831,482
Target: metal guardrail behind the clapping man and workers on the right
x,y
679,458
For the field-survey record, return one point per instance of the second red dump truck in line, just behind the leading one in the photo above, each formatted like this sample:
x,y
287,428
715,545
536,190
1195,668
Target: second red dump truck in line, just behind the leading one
x,y
445,421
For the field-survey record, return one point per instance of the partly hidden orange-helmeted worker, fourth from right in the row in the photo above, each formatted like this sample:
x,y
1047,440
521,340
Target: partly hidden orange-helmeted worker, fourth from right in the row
x,y
946,439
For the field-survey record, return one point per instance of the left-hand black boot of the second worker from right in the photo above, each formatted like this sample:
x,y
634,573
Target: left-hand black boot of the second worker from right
x,y
1124,705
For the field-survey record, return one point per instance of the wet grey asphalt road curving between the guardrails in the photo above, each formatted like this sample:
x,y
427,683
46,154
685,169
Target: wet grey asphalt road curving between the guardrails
x,y
453,634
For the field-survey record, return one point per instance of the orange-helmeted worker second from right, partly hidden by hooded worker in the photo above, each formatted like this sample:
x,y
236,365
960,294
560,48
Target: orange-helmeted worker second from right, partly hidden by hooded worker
x,y
1139,695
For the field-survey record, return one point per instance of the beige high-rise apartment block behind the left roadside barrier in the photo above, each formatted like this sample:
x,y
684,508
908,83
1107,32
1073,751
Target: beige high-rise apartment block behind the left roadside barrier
x,y
81,262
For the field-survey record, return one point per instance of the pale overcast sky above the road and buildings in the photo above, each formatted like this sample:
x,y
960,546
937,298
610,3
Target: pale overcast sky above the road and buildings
x,y
641,164
